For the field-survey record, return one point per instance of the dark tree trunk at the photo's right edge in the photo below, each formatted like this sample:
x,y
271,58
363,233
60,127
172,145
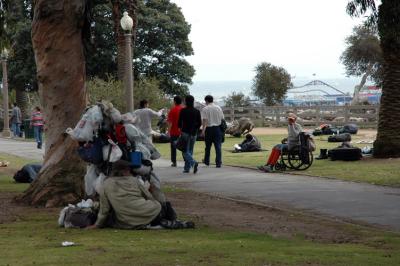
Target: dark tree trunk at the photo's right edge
x,y
387,143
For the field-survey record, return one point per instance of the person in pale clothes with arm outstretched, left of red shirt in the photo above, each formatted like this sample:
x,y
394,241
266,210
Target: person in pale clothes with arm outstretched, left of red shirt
x,y
145,115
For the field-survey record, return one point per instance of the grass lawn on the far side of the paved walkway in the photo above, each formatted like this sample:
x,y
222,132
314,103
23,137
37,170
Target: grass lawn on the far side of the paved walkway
x,y
369,170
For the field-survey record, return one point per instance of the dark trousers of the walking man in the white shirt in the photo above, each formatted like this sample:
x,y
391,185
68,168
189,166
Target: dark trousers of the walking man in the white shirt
x,y
213,135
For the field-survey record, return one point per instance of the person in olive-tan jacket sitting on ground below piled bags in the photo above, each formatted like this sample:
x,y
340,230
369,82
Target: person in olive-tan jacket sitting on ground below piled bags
x,y
126,203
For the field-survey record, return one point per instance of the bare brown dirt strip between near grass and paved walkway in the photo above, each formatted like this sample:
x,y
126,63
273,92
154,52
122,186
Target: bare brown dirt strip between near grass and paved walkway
x,y
227,214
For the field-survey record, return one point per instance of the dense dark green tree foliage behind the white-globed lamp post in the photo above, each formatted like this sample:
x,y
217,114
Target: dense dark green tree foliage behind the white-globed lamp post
x,y
161,45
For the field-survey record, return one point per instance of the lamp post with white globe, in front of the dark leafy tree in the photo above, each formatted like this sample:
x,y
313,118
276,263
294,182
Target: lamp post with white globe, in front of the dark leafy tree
x,y
127,25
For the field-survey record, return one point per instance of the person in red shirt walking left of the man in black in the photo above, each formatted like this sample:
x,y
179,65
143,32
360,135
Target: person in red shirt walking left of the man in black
x,y
174,131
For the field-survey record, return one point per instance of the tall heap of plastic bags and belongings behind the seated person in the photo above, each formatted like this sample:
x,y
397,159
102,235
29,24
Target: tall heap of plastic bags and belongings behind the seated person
x,y
105,136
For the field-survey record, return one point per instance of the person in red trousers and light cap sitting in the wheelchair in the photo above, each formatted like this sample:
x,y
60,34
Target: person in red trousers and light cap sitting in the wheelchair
x,y
288,144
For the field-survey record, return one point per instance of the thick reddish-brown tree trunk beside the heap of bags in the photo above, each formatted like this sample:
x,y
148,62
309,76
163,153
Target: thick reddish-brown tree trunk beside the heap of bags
x,y
57,43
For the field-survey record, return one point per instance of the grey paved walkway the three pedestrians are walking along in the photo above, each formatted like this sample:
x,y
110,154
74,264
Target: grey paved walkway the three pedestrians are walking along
x,y
346,200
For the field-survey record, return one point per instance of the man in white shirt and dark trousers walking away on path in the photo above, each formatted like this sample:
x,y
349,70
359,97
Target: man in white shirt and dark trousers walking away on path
x,y
212,116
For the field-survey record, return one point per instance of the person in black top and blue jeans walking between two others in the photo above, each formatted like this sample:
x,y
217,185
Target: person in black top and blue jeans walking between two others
x,y
189,123
